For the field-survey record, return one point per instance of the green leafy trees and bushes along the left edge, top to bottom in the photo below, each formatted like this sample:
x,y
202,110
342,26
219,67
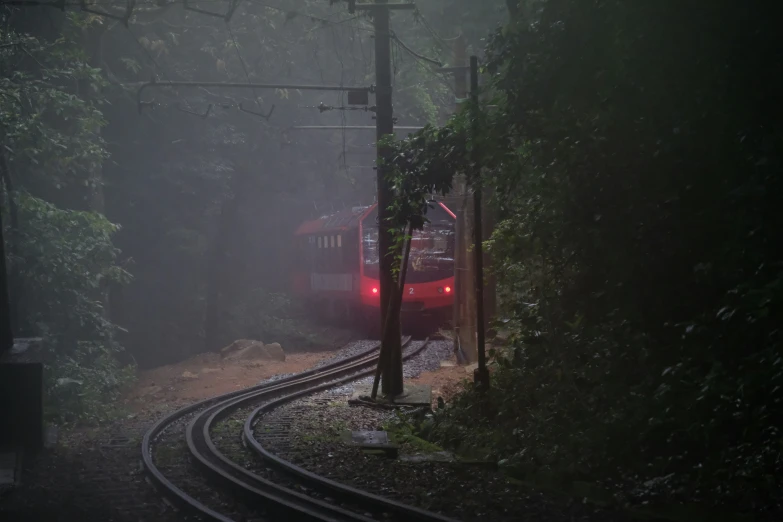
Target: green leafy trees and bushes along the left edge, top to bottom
x,y
61,261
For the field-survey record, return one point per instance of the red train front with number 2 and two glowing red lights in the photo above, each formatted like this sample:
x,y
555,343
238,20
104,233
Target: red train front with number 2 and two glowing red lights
x,y
429,282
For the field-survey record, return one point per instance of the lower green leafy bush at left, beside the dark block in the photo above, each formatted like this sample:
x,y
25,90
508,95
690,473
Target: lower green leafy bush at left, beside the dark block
x,y
65,261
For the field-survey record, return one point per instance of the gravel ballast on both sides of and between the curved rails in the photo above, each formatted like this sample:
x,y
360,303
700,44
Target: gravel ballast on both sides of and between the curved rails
x,y
100,478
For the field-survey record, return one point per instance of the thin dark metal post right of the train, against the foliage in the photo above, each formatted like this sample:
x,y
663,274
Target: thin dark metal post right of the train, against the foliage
x,y
481,374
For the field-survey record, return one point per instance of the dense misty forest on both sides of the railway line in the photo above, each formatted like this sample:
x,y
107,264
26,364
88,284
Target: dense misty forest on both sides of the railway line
x,y
634,150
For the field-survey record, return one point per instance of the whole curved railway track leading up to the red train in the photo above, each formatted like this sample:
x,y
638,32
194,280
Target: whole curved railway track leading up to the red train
x,y
241,479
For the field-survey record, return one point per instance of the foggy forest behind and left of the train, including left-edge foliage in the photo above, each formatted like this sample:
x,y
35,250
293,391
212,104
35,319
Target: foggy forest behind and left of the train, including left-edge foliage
x,y
206,205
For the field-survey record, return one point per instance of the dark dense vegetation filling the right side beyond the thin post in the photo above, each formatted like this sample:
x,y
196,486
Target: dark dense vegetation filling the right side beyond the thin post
x,y
637,177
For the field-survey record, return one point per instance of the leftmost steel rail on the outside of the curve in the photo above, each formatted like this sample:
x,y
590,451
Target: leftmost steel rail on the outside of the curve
x,y
172,491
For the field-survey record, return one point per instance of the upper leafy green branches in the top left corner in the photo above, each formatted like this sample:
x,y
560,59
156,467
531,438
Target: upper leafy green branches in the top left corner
x,y
49,131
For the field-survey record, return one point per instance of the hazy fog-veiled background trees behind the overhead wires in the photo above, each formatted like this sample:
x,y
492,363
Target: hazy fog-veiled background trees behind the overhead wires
x,y
171,172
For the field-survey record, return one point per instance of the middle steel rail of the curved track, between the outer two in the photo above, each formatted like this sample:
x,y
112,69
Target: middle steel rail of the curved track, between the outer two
x,y
250,484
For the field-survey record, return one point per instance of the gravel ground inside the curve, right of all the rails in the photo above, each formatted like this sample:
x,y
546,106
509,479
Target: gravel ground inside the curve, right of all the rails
x,y
318,428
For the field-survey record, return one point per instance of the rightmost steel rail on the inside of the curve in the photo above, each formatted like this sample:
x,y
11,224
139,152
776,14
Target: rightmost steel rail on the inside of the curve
x,y
343,490
